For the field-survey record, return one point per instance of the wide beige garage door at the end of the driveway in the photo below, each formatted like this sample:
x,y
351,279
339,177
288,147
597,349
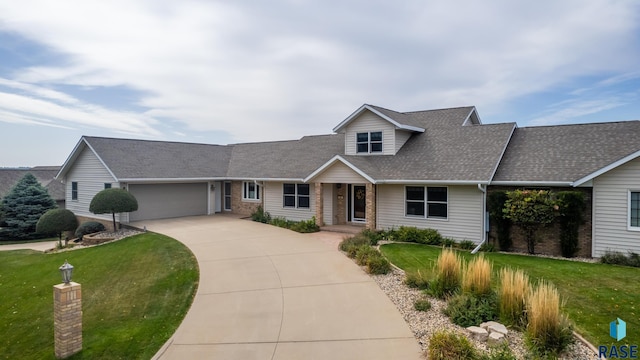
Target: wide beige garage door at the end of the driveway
x,y
161,201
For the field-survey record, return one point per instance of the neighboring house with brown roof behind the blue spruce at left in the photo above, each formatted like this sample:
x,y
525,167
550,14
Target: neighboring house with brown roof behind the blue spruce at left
x,y
9,177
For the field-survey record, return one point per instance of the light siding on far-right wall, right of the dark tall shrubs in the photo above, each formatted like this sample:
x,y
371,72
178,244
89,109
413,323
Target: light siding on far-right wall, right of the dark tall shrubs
x,y
610,210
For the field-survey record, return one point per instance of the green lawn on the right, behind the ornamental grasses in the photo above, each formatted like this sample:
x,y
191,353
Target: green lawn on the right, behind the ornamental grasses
x,y
594,294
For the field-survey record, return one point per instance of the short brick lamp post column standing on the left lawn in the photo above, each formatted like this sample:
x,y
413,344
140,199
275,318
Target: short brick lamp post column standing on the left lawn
x,y
67,319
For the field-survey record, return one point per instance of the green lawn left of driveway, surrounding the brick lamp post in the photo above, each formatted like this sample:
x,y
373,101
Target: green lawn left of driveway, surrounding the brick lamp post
x,y
135,293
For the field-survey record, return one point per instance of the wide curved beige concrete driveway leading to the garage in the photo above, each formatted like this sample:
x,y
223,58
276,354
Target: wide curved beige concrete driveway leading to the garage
x,y
270,293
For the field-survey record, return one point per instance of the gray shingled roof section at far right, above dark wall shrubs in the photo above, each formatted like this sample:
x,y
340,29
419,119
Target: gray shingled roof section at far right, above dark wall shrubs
x,y
566,153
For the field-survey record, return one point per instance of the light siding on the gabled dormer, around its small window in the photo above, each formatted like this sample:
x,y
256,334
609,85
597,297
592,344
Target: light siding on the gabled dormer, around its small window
x,y
368,122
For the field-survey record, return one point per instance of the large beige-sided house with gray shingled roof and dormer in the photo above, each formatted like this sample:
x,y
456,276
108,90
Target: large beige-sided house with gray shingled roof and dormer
x,y
380,169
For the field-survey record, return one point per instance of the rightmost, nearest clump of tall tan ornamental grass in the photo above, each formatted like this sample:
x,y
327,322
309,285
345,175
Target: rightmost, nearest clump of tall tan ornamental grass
x,y
548,330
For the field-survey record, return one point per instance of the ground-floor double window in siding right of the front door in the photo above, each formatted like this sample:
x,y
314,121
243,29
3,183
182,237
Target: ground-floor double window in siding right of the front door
x,y
426,201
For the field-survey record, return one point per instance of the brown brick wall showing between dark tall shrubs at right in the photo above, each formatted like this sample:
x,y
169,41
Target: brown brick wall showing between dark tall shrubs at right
x,y
549,237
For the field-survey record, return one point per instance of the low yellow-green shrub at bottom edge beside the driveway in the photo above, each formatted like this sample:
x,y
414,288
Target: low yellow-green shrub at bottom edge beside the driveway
x,y
445,345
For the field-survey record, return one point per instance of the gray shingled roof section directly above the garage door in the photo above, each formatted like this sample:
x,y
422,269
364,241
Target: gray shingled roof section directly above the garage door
x,y
144,159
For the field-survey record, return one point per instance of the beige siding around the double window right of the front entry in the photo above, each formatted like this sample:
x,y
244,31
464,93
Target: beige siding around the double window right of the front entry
x,y
465,212
